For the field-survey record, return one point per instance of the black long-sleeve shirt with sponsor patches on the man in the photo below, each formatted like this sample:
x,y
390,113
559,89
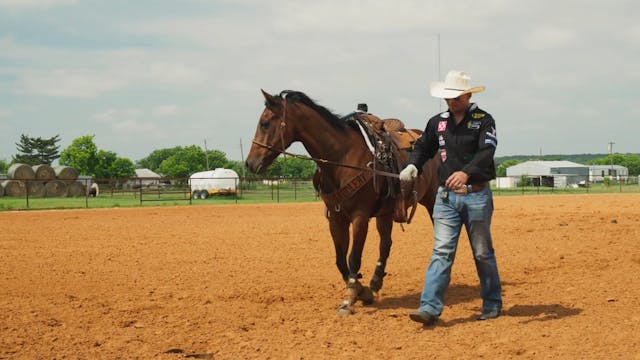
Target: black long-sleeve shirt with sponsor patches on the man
x,y
468,146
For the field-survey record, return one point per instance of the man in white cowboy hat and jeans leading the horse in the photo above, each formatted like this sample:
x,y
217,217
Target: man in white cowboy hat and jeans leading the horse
x,y
465,135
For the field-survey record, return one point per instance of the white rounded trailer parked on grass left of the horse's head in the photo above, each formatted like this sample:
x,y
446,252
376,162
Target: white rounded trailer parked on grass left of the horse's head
x,y
219,181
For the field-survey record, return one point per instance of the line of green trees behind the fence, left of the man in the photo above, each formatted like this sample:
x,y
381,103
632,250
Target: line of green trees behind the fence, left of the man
x,y
176,162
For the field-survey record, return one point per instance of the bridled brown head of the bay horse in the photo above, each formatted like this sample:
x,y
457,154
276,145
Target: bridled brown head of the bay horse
x,y
272,135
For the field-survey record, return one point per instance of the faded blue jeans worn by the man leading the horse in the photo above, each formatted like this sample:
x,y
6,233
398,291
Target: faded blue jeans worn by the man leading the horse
x,y
474,210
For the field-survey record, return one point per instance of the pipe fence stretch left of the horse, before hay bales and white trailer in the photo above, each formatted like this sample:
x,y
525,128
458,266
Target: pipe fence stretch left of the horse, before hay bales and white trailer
x,y
126,192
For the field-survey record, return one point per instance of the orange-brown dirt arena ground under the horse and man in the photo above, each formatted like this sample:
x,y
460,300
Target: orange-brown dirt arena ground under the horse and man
x,y
259,282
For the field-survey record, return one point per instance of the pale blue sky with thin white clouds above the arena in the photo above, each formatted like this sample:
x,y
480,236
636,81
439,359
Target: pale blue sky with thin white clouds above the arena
x,y
561,77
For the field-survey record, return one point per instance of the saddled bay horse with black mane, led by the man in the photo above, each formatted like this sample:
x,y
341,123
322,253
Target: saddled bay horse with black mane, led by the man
x,y
341,154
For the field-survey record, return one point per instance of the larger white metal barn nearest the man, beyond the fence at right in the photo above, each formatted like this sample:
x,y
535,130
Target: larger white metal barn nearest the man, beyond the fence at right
x,y
551,173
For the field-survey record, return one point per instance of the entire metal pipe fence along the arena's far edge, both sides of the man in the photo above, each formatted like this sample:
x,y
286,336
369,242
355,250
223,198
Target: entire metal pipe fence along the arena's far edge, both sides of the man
x,y
128,192
